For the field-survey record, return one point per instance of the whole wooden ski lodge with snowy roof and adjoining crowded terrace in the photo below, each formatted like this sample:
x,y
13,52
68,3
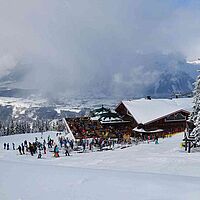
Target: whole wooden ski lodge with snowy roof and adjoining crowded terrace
x,y
141,117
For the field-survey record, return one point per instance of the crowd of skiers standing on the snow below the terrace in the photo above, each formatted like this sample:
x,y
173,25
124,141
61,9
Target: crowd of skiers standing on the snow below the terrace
x,y
61,145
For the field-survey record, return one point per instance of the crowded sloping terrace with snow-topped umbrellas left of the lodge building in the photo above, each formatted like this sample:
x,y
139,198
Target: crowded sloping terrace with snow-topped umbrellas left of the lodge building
x,y
102,122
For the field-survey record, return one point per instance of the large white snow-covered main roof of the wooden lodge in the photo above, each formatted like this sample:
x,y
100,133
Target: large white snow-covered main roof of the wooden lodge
x,y
145,111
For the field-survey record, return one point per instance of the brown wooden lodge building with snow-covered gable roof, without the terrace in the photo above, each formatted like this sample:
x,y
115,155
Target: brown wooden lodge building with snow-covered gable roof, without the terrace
x,y
155,116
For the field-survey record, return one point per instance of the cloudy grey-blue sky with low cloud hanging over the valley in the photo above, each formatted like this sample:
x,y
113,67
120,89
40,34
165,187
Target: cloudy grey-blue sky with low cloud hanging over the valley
x,y
70,45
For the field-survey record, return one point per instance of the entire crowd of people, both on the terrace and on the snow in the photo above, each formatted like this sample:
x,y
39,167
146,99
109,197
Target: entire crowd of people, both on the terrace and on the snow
x,y
84,141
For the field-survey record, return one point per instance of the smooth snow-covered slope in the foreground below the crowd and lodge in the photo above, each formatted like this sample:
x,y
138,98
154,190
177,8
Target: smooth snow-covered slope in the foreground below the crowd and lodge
x,y
144,171
